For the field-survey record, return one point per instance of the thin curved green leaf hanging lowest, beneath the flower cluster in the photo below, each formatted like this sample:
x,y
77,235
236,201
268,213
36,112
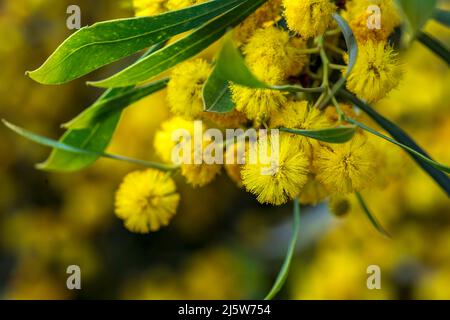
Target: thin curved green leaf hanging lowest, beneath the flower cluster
x,y
284,271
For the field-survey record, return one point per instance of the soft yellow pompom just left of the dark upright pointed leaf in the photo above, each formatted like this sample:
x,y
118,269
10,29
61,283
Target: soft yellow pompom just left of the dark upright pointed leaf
x,y
184,90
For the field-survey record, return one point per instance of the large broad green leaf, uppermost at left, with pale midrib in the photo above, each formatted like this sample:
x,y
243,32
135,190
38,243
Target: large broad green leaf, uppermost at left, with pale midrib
x,y
103,43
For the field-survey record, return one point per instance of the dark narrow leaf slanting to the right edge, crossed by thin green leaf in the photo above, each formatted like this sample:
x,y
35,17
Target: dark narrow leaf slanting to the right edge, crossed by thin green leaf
x,y
400,136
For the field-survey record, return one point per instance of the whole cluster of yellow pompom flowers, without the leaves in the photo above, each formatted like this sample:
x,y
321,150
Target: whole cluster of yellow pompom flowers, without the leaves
x,y
283,42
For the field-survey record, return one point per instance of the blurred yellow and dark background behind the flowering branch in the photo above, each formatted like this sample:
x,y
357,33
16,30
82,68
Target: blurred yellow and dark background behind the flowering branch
x,y
222,244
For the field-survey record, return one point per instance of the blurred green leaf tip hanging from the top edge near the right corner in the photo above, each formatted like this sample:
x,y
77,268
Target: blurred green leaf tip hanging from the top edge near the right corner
x,y
417,12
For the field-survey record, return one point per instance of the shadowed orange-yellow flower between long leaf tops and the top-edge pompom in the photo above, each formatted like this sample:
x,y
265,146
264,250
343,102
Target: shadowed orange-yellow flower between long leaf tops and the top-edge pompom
x,y
266,14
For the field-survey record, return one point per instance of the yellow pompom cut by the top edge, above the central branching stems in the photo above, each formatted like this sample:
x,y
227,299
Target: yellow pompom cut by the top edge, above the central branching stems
x,y
308,18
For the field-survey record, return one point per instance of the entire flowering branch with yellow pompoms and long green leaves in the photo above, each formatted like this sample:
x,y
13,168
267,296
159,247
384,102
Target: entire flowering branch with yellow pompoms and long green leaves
x,y
308,68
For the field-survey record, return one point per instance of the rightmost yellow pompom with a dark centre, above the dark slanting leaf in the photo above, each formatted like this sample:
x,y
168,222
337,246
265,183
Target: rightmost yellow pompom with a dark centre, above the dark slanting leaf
x,y
376,71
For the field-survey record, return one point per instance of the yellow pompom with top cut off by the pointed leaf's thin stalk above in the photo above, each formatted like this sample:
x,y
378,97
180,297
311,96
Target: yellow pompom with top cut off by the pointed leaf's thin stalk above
x,y
257,103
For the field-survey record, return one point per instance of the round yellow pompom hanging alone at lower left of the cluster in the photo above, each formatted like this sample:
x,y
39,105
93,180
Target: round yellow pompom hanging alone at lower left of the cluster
x,y
146,200
